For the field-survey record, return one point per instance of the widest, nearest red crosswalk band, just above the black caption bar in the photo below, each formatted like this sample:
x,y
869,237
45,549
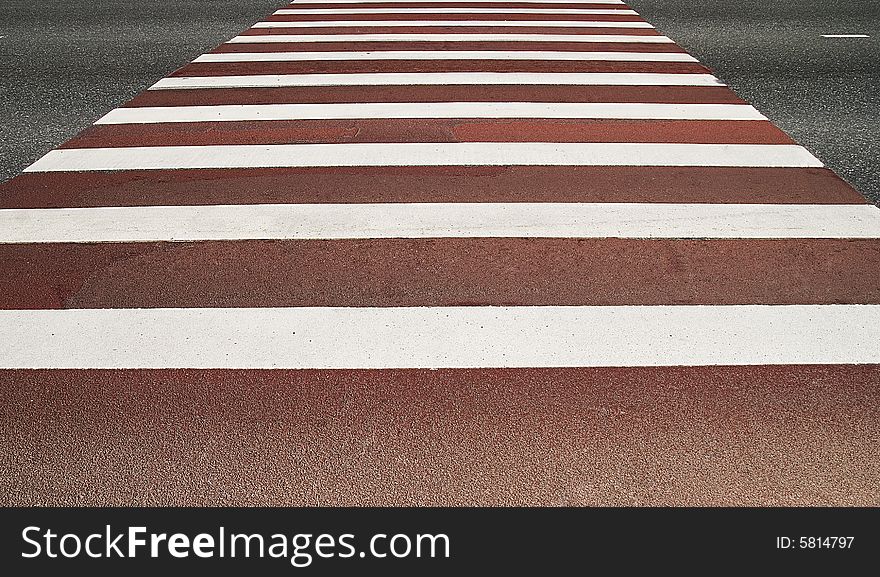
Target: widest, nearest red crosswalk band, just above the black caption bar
x,y
788,435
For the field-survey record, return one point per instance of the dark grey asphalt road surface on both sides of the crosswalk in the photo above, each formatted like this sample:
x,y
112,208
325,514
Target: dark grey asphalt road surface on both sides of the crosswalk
x,y
65,65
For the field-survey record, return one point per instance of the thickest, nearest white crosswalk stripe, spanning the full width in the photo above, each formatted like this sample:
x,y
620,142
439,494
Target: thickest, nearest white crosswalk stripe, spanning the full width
x,y
439,337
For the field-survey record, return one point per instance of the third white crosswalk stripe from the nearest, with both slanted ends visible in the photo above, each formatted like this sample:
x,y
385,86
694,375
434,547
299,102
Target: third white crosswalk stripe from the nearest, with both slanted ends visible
x,y
425,154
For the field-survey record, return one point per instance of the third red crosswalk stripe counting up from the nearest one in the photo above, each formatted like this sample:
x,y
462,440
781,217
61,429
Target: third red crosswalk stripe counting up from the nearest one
x,y
428,184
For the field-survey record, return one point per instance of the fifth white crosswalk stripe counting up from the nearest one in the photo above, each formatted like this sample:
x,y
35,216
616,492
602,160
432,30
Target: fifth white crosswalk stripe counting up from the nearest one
x,y
438,79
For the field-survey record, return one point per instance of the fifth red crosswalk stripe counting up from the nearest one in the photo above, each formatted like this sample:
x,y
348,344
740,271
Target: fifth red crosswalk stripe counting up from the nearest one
x,y
447,93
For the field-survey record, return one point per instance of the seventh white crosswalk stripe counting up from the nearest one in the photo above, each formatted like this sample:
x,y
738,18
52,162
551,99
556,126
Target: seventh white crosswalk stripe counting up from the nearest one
x,y
587,38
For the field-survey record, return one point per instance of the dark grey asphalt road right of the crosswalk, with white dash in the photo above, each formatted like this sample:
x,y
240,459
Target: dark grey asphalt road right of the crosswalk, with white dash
x,y
824,92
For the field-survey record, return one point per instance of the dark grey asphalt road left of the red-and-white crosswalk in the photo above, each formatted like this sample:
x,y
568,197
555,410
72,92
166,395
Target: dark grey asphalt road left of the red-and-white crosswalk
x,y
66,64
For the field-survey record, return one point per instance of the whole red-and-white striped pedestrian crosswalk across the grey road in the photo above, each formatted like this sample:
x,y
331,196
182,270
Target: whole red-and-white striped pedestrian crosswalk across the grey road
x,y
439,252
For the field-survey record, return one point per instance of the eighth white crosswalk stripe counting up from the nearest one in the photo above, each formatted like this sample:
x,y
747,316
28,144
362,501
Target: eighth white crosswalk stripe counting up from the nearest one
x,y
451,23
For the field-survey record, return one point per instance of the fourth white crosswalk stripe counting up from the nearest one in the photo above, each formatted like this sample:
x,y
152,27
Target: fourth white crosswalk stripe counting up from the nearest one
x,y
244,112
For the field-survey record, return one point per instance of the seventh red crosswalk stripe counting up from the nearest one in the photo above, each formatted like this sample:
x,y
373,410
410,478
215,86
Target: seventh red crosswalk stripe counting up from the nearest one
x,y
476,45
